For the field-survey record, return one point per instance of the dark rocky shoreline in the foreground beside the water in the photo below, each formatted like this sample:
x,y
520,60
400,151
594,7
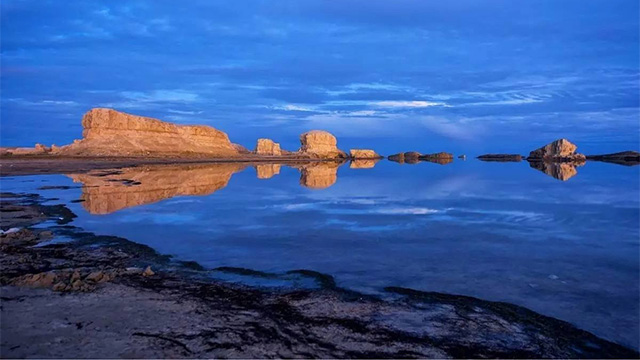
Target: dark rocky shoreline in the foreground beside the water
x,y
104,296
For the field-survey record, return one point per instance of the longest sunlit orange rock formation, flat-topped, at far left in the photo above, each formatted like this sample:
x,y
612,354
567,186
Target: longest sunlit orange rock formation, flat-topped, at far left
x,y
112,133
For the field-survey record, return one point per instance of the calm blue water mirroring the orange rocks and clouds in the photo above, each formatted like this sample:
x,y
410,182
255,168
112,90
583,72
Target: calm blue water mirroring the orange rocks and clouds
x,y
497,231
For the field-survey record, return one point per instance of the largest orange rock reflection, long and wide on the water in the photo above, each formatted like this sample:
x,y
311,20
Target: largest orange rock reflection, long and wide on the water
x,y
106,192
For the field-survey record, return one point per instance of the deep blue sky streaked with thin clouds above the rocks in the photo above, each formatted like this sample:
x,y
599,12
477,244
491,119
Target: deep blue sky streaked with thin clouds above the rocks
x,y
461,76
